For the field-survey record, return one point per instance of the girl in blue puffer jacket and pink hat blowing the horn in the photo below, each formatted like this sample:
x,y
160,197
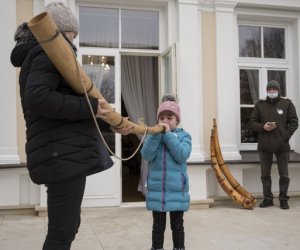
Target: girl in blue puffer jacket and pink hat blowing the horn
x,y
167,183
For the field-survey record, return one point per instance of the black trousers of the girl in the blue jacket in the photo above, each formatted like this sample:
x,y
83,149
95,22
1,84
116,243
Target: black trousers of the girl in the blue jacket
x,y
159,226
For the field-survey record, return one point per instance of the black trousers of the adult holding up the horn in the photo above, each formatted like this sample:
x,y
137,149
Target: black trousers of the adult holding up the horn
x,y
64,207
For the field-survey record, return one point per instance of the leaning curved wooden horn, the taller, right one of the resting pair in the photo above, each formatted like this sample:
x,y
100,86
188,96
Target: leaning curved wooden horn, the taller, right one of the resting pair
x,y
235,184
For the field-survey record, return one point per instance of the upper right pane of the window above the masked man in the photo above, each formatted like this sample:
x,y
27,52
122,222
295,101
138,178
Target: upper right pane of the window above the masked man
x,y
274,41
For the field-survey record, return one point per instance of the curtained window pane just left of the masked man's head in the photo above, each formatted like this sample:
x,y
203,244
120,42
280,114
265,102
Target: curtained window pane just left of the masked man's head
x,y
249,86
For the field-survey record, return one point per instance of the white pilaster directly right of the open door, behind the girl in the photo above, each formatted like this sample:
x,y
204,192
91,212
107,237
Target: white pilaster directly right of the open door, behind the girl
x,y
190,80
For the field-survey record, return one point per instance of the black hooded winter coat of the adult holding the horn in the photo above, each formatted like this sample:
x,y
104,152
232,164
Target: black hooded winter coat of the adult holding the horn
x,y
62,141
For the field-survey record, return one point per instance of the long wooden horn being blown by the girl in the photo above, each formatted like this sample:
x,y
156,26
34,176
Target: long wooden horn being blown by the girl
x,y
62,56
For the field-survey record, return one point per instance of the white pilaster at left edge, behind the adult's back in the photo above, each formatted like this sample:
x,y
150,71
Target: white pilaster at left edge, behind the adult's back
x,y
8,125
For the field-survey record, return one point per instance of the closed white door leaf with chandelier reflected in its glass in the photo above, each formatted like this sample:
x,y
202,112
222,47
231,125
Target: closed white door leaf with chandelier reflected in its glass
x,y
102,67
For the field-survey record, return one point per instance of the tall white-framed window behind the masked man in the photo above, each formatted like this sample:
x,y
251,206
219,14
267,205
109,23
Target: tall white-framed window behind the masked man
x,y
262,57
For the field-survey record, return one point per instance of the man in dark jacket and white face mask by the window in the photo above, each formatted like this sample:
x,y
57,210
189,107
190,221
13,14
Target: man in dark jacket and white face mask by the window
x,y
276,120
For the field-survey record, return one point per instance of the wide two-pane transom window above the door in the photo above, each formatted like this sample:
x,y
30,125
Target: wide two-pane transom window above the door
x,y
99,27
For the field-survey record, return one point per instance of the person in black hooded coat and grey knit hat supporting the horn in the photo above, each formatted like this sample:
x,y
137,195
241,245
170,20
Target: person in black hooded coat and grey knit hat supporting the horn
x,y
63,146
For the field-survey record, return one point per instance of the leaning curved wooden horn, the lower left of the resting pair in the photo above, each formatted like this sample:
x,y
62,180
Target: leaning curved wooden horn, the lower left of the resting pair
x,y
226,186
